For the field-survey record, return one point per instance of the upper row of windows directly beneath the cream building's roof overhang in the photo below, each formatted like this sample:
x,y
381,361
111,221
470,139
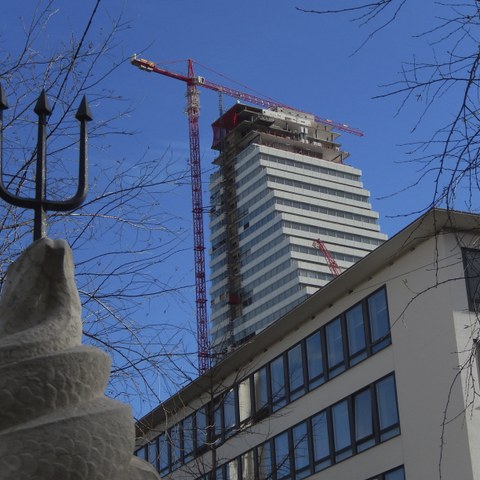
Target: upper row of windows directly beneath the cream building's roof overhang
x,y
359,332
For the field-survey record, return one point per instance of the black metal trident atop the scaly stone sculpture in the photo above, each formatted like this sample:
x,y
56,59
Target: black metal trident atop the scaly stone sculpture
x,y
40,204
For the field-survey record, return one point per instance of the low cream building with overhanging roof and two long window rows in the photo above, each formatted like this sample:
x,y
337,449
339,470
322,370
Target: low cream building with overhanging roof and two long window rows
x,y
373,377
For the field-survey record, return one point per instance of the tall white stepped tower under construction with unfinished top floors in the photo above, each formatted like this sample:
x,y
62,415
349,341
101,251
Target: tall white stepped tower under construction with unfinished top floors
x,y
280,184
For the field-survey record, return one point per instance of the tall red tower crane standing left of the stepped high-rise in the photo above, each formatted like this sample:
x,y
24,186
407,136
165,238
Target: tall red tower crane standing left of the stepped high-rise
x,y
193,109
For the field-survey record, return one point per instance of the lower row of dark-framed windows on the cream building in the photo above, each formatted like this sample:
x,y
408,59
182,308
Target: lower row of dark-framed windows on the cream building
x,y
351,426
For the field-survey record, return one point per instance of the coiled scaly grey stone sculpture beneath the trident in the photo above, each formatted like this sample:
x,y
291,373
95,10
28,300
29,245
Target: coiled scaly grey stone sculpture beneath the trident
x,y
55,422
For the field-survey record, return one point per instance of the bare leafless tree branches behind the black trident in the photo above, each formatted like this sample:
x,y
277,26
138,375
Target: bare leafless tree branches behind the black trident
x,y
123,233
